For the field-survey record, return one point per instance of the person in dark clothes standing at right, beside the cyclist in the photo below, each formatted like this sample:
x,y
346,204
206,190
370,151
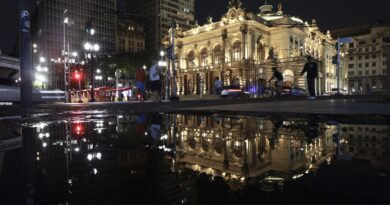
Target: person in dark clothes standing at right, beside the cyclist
x,y
311,69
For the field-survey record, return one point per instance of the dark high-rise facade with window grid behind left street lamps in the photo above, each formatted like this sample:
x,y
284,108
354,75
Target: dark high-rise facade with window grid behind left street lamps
x,y
50,31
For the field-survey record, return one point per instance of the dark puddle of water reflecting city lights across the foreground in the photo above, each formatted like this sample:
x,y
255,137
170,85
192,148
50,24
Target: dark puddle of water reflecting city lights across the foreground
x,y
188,159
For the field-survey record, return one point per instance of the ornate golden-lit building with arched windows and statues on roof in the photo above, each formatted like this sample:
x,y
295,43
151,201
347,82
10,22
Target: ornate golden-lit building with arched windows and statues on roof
x,y
242,48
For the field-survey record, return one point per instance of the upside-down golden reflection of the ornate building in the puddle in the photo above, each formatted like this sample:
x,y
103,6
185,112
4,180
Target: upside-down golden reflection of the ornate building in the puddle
x,y
238,149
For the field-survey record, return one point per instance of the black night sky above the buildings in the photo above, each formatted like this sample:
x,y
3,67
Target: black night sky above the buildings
x,y
330,14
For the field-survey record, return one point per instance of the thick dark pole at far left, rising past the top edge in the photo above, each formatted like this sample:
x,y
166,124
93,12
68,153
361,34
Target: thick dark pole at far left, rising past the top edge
x,y
25,58
